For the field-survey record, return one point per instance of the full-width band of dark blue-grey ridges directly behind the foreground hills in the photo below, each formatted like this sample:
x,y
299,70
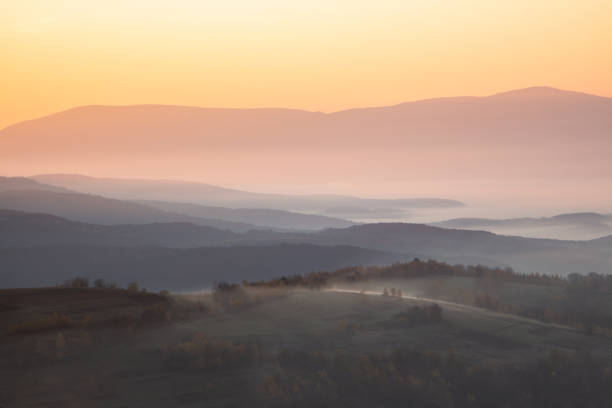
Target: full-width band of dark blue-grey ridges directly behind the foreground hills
x,y
40,249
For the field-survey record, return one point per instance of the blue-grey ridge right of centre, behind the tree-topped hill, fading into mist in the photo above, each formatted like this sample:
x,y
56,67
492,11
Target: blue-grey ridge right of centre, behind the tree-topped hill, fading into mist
x,y
463,246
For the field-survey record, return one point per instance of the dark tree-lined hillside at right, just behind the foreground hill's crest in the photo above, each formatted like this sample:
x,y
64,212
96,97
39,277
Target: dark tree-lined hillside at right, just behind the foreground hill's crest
x,y
583,301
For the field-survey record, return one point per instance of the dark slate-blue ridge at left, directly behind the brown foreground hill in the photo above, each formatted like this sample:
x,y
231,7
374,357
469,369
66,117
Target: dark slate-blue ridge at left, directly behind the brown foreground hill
x,y
175,269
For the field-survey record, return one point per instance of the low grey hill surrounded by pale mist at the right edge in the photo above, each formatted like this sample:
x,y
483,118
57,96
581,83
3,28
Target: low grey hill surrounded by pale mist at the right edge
x,y
563,226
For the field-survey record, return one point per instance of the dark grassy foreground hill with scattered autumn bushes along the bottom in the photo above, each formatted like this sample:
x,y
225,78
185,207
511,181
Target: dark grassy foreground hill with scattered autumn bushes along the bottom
x,y
298,349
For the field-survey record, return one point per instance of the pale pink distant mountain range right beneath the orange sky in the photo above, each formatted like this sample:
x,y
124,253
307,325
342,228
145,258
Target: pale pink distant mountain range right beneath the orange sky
x,y
561,135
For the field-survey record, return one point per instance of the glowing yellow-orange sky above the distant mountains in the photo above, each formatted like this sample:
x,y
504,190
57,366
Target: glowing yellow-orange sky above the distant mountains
x,y
315,54
